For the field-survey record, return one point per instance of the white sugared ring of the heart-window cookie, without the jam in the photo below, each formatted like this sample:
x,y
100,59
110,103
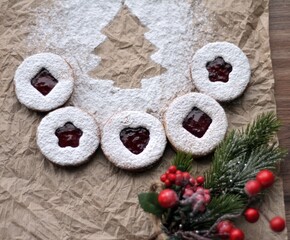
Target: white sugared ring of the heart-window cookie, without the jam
x,y
115,150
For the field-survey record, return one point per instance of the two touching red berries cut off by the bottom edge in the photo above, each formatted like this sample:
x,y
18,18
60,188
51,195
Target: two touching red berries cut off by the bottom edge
x,y
227,230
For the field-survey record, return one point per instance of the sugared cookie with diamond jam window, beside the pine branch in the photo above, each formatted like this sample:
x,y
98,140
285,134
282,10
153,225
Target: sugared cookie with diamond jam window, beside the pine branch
x,y
195,123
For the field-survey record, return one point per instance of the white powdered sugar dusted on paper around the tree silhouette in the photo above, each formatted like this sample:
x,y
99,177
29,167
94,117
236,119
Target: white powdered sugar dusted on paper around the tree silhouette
x,y
72,28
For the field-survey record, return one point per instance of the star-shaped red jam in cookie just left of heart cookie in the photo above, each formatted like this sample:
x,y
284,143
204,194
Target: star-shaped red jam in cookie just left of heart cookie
x,y
68,135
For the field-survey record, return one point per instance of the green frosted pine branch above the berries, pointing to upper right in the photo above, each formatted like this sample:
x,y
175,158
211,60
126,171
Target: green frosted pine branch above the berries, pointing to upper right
x,y
242,154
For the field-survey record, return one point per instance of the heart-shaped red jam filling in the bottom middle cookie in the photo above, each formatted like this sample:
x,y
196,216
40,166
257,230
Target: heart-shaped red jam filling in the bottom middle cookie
x,y
135,139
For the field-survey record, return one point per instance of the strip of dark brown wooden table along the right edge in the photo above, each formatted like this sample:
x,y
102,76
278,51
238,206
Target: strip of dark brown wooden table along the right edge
x,y
280,48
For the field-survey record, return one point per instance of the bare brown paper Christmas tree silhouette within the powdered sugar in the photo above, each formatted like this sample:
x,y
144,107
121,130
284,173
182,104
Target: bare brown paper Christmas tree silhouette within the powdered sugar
x,y
126,51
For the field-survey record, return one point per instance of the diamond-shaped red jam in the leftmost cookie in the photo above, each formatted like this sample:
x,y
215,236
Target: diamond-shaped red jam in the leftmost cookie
x,y
44,82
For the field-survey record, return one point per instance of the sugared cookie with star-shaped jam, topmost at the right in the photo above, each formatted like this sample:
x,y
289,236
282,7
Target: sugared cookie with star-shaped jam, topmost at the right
x,y
221,70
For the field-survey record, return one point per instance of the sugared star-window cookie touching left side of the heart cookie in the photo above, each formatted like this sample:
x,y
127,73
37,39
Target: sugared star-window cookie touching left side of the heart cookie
x,y
68,136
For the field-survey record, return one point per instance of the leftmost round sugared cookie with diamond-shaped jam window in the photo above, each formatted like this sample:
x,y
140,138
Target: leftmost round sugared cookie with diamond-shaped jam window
x,y
43,82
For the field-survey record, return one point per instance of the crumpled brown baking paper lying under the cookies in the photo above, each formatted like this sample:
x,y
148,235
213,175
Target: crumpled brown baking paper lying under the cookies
x,y
39,200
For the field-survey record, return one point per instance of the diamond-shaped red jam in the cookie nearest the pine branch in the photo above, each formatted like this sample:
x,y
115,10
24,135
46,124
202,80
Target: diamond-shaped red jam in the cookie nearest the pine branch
x,y
197,122
